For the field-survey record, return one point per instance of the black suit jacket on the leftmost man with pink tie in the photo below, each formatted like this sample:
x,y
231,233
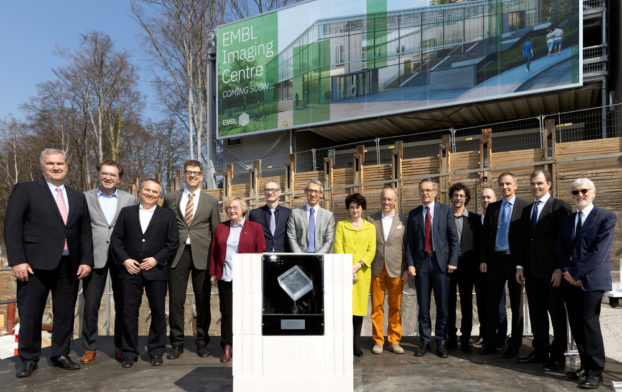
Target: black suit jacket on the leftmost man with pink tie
x,y
34,231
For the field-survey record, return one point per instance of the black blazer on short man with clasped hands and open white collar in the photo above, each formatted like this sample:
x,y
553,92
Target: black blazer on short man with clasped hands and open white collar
x,y
159,241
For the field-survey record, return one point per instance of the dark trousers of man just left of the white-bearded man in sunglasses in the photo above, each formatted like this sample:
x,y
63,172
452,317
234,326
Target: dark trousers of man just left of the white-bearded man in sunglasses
x,y
544,299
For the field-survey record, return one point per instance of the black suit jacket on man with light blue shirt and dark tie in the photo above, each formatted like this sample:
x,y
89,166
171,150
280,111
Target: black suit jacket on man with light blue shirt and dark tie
x,y
515,236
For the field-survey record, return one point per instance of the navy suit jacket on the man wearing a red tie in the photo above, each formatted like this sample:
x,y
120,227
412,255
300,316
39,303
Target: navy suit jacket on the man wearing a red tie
x,y
444,237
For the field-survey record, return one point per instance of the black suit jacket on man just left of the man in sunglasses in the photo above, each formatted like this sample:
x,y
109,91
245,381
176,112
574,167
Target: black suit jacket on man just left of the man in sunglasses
x,y
539,257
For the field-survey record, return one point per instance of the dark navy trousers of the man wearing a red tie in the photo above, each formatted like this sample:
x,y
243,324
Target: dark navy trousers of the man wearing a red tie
x,y
429,276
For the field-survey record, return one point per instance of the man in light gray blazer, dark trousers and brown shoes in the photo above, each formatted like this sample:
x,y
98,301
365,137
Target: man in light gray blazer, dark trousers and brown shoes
x,y
104,203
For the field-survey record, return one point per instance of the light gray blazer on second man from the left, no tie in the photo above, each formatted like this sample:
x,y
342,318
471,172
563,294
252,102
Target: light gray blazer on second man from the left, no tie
x,y
99,225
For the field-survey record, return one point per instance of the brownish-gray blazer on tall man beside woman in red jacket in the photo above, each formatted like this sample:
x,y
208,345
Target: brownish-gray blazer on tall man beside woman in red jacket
x,y
200,230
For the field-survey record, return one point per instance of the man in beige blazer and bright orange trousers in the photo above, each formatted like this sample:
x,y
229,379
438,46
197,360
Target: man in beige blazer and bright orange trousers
x,y
386,269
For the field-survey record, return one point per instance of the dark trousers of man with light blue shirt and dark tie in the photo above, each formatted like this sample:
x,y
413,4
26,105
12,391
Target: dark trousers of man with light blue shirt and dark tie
x,y
500,271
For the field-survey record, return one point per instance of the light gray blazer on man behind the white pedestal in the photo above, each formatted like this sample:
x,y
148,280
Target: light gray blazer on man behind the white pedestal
x,y
298,225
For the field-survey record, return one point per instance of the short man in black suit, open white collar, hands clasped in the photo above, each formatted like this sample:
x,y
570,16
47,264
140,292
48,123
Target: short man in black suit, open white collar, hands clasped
x,y
144,242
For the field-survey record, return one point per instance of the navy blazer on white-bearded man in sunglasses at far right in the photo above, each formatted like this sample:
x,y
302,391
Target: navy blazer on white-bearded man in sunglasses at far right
x,y
590,251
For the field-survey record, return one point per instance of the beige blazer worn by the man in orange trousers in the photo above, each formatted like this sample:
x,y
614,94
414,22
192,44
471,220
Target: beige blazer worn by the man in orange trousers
x,y
391,252
